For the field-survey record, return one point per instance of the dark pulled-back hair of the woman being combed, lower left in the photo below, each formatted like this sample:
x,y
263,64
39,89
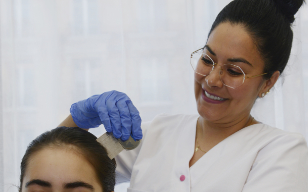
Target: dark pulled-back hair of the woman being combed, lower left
x,y
85,143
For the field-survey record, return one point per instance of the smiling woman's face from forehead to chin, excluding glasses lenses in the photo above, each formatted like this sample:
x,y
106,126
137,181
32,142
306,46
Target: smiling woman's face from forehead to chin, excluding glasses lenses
x,y
216,101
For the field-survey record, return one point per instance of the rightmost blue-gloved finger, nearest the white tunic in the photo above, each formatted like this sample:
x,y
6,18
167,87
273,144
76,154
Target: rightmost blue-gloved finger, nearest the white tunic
x,y
136,121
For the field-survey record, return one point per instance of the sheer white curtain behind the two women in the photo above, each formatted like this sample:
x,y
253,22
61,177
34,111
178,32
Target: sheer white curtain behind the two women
x,y
56,52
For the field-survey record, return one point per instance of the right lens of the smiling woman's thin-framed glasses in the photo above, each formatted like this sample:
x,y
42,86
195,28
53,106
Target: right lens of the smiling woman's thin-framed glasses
x,y
232,75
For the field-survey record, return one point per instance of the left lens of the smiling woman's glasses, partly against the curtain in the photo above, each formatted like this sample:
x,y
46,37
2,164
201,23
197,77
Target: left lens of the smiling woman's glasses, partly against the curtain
x,y
201,63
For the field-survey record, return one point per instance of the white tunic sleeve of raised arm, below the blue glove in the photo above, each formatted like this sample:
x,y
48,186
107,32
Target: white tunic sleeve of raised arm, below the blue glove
x,y
126,160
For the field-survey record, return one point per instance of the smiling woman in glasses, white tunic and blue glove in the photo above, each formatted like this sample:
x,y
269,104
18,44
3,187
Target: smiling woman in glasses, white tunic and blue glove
x,y
223,148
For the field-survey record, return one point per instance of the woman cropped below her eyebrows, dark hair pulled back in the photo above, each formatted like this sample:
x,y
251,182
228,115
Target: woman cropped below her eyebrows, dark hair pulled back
x,y
66,159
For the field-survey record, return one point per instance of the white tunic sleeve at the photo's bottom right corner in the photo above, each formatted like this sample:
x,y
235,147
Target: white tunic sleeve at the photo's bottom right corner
x,y
281,166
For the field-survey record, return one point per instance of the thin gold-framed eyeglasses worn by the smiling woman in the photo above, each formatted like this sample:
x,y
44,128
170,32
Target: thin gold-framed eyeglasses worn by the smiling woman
x,y
230,75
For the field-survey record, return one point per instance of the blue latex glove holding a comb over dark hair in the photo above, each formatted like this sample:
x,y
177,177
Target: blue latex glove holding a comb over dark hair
x,y
114,110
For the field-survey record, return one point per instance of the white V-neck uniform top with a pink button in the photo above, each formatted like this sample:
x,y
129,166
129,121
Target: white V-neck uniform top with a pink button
x,y
258,158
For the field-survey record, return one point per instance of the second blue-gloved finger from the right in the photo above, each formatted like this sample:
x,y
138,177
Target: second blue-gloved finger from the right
x,y
125,117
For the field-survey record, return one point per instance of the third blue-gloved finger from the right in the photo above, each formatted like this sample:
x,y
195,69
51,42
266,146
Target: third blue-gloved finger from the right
x,y
114,116
